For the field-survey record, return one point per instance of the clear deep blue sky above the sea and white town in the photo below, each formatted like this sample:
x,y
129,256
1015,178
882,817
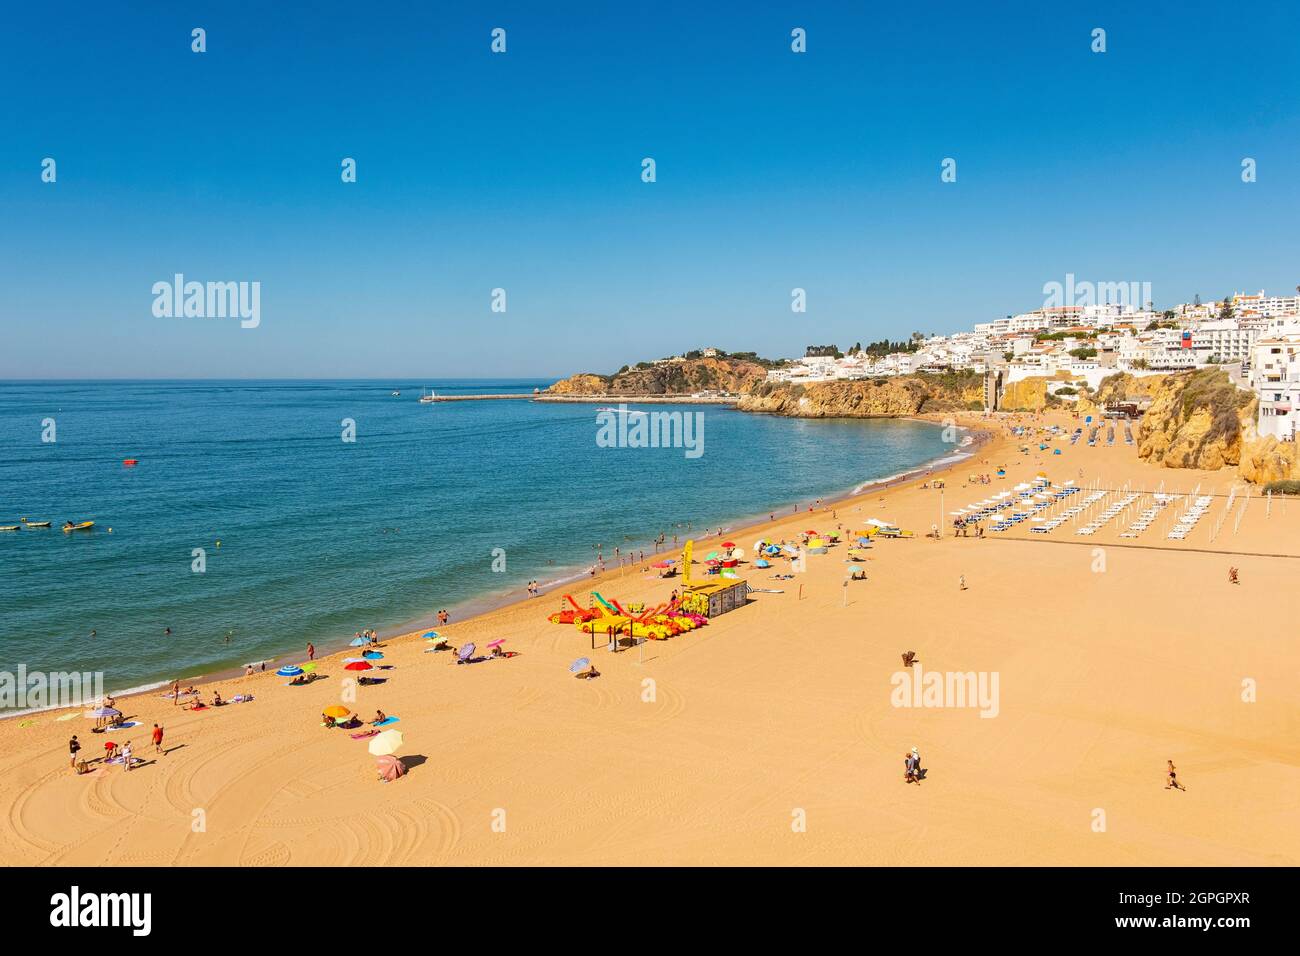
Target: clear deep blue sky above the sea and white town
x,y
522,171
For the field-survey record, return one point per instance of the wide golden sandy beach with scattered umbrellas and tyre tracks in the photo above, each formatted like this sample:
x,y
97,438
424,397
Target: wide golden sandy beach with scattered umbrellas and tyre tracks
x,y
772,736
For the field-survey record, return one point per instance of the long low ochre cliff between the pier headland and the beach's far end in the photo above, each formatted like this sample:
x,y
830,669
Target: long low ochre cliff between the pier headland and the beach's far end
x,y
894,397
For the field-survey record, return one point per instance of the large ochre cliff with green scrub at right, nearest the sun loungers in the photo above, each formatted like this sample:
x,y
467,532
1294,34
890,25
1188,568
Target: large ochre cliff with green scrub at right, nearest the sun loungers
x,y
1197,419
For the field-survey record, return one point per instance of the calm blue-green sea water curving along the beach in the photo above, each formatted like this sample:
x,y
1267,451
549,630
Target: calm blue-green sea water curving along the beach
x,y
322,538
